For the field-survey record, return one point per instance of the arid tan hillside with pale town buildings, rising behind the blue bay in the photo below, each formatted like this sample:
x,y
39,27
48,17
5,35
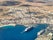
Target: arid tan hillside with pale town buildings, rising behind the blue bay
x,y
23,12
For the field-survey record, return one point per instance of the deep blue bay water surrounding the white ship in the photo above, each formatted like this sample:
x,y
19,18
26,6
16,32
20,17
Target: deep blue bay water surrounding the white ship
x,y
14,33
